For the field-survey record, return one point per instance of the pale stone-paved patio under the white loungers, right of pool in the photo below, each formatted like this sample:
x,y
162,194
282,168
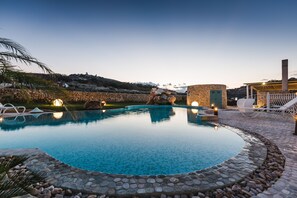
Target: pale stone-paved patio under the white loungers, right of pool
x,y
279,130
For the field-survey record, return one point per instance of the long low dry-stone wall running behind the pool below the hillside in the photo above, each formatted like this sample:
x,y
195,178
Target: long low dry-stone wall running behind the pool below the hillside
x,y
11,95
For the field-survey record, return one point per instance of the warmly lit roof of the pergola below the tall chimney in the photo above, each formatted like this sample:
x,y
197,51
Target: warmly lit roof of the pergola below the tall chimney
x,y
272,86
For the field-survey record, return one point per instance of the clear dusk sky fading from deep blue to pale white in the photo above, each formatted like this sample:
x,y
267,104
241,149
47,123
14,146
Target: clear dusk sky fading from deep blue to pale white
x,y
162,41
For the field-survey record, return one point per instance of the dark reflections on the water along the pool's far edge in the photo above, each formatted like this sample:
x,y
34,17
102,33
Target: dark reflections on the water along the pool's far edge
x,y
157,115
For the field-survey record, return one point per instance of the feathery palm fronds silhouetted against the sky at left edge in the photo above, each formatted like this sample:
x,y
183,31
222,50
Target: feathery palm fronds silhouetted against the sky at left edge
x,y
16,52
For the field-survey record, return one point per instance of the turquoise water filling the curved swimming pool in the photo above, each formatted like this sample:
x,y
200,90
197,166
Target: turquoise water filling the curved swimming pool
x,y
145,141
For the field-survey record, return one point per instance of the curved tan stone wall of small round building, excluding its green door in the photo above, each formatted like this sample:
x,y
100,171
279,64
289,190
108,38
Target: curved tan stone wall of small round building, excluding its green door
x,y
201,94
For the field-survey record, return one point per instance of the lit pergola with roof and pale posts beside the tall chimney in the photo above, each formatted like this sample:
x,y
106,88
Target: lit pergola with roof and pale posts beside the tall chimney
x,y
268,87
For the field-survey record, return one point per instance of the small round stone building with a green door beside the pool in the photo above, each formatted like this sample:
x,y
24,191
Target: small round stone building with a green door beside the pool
x,y
208,94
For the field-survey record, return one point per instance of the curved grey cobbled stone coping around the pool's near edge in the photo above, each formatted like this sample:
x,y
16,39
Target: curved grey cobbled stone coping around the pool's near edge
x,y
227,173
